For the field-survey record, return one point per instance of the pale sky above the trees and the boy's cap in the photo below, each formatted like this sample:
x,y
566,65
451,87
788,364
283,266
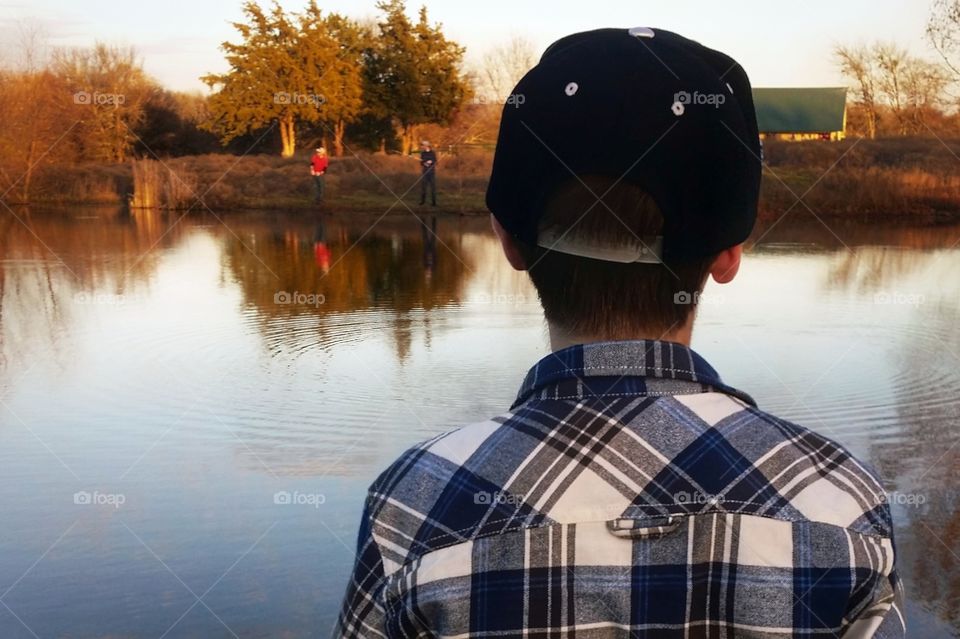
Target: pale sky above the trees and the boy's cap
x,y
779,42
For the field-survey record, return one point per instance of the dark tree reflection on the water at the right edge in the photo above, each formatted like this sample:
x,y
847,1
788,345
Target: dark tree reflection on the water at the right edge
x,y
925,459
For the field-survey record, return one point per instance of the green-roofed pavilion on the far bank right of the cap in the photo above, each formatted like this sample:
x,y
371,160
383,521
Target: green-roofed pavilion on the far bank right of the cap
x,y
802,113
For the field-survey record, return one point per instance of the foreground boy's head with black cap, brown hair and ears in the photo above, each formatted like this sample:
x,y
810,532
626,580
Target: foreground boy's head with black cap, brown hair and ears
x,y
628,174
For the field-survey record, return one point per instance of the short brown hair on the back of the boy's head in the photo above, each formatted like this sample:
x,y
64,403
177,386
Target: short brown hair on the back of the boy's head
x,y
612,300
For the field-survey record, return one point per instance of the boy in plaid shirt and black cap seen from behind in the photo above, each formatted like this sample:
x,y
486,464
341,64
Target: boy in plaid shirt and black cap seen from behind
x,y
628,492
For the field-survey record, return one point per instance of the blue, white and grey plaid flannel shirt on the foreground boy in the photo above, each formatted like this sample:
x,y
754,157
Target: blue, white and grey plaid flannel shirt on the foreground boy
x,y
627,493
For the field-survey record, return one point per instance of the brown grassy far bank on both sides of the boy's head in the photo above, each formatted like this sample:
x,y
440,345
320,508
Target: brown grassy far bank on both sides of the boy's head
x,y
892,177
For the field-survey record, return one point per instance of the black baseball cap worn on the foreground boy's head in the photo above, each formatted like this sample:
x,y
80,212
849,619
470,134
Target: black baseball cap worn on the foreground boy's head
x,y
644,105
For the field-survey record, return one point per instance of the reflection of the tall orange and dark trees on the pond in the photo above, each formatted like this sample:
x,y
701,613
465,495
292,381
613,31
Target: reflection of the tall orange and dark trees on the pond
x,y
329,267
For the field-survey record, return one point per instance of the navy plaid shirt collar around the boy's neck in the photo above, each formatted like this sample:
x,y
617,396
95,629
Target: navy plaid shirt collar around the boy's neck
x,y
635,367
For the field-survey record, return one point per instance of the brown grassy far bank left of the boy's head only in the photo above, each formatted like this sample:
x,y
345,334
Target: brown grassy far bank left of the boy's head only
x,y
223,182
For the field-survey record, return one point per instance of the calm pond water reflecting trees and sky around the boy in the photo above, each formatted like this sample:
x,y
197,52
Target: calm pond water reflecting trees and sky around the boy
x,y
147,367
